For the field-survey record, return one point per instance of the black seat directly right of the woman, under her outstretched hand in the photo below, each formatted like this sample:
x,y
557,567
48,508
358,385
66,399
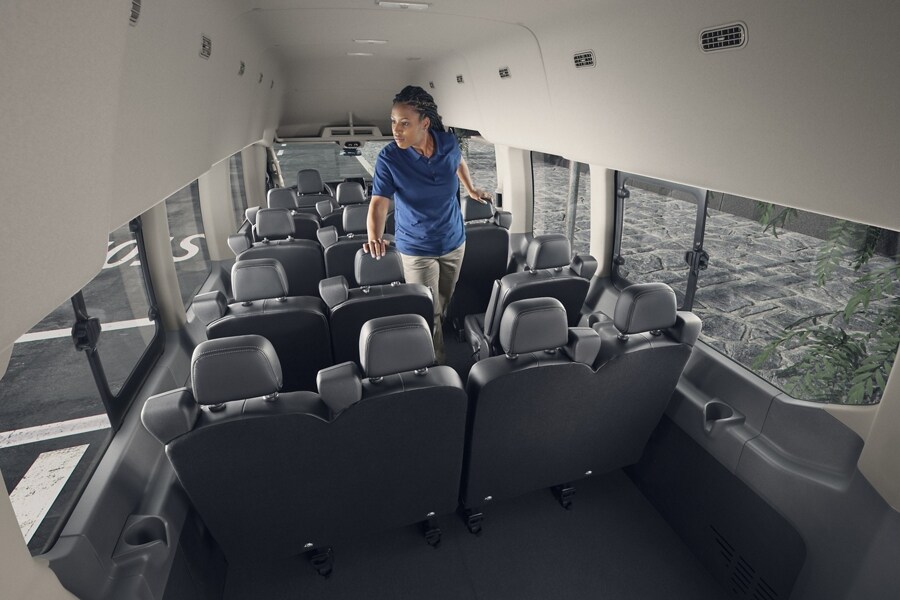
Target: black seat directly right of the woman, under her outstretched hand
x,y
485,261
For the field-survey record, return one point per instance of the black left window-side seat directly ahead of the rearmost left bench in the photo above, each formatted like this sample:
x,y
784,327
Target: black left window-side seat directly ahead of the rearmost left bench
x,y
297,326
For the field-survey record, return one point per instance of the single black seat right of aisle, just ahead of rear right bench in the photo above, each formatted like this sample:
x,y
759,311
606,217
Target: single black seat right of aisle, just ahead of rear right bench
x,y
552,272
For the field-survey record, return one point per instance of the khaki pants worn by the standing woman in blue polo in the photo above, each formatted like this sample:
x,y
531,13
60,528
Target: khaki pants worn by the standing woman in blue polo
x,y
440,273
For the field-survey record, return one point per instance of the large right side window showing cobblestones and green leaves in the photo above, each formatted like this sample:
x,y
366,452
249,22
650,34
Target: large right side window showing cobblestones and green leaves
x,y
809,303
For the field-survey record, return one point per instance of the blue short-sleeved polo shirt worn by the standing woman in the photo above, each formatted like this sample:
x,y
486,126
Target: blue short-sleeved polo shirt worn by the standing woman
x,y
427,218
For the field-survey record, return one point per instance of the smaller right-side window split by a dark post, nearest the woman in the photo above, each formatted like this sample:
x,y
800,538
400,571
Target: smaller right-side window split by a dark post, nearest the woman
x,y
551,196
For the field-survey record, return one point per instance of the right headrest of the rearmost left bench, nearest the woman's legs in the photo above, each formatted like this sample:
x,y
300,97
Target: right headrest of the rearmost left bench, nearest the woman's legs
x,y
395,344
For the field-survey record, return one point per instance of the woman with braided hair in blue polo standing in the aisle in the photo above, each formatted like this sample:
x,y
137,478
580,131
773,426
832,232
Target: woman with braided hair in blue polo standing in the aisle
x,y
421,170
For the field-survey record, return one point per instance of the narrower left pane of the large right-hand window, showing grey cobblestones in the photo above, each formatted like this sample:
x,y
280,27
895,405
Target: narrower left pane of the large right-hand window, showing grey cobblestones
x,y
657,229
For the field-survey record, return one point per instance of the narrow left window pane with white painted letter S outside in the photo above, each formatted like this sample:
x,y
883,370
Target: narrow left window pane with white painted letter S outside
x,y
192,264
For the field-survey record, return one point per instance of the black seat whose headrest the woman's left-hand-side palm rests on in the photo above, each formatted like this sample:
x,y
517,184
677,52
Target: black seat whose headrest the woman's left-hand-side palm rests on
x,y
381,292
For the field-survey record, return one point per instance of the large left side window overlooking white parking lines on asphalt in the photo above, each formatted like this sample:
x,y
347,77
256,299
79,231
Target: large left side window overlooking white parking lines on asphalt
x,y
57,406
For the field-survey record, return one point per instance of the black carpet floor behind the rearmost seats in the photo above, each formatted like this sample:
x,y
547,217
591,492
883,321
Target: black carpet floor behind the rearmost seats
x,y
611,545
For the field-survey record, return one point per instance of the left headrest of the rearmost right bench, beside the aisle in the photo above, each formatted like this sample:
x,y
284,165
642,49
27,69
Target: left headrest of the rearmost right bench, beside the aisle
x,y
532,325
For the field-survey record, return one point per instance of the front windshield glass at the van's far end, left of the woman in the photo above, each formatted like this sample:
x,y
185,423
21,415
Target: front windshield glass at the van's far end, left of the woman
x,y
327,158
